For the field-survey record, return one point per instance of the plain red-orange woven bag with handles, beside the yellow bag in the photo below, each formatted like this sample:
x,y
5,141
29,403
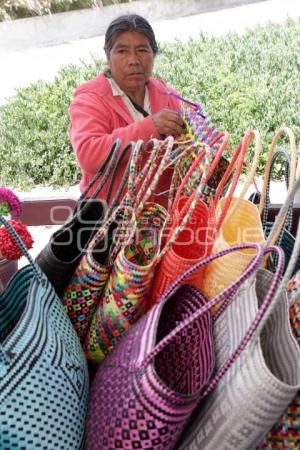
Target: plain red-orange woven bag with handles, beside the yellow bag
x,y
196,238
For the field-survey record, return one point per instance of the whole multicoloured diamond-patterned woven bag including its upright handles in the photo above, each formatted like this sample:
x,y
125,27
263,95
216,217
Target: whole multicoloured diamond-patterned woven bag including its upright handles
x,y
125,296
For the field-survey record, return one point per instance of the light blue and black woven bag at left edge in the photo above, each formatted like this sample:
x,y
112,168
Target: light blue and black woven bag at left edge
x,y
43,372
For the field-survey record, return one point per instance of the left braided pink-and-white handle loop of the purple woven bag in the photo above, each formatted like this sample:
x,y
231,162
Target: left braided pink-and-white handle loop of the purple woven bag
x,y
228,292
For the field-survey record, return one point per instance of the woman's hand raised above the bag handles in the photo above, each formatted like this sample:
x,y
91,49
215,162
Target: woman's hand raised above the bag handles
x,y
168,122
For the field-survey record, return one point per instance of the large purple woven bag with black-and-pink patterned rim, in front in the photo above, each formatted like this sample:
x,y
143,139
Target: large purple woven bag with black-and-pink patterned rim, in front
x,y
146,390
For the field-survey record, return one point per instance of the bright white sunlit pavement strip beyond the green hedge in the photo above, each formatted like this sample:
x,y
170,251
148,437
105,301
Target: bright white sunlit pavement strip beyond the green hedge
x,y
20,68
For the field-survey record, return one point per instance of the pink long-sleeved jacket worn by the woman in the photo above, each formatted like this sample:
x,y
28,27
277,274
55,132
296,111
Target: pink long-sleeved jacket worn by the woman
x,y
98,118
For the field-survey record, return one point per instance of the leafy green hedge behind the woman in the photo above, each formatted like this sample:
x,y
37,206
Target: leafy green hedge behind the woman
x,y
248,80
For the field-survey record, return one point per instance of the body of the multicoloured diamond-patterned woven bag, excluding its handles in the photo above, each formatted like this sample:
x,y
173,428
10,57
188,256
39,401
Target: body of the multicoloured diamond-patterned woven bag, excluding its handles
x,y
125,296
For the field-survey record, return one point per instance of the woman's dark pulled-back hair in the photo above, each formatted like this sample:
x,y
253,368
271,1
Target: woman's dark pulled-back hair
x,y
129,22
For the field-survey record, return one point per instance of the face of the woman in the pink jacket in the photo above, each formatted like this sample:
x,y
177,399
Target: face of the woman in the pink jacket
x,y
131,61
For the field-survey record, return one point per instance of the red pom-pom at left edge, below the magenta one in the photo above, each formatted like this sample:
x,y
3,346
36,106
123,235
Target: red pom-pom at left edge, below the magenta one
x,y
9,249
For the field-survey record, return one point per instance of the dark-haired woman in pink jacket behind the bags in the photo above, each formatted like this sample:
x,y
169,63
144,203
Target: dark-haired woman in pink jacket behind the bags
x,y
125,102
